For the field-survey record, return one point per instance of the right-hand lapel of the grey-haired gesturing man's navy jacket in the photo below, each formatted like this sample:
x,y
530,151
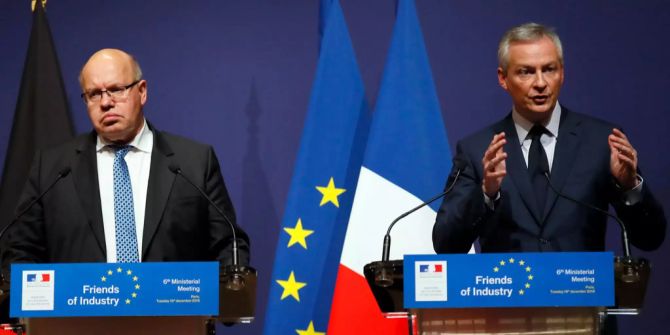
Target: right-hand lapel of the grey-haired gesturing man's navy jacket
x,y
566,146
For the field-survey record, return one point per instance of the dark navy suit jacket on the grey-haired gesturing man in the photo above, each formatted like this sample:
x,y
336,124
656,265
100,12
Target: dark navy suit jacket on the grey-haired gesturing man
x,y
581,169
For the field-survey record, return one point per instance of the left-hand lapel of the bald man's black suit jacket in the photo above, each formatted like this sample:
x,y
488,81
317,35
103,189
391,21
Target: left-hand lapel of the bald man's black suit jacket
x,y
85,176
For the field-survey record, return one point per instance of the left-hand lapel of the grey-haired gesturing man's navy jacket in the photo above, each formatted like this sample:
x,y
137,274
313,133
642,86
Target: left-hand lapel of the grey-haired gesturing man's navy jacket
x,y
517,169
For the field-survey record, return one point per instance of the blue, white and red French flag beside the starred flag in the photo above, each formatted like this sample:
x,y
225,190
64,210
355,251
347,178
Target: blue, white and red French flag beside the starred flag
x,y
407,159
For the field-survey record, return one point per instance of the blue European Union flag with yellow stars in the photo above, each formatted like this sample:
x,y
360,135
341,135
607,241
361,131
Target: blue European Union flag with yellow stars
x,y
322,189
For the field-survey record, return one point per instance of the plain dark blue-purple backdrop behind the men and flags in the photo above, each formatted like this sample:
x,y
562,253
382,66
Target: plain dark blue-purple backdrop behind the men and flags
x,y
238,73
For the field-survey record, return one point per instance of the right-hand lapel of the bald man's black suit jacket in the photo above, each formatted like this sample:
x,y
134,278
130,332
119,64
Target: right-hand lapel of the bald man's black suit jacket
x,y
158,191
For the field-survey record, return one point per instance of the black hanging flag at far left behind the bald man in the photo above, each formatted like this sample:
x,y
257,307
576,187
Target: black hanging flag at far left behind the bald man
x,y
42,116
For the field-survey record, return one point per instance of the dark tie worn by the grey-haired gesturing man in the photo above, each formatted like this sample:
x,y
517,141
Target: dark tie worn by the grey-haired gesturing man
x,y
537,162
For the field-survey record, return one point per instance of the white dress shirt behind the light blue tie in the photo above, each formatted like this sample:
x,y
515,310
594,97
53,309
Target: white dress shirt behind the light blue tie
x,y
138,160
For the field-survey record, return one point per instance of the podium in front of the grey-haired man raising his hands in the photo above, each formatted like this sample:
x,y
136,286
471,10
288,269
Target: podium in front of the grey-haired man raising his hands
x,y
558,307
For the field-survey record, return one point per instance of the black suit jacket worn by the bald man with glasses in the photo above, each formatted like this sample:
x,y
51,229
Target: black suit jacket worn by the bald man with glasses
x,y
179,225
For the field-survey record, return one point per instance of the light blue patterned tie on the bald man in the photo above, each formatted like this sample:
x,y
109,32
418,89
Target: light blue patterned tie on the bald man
x,y
124,213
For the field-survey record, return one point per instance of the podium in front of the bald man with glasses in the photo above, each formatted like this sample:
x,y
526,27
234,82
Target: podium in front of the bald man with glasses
x,y
131,298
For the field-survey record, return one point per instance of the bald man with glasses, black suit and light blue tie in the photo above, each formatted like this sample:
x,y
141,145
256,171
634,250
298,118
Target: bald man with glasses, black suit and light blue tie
x,y
121,200
